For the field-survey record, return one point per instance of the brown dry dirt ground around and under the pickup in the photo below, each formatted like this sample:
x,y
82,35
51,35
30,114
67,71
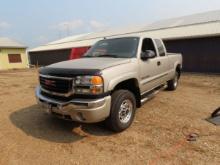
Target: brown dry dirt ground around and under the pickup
x,y
157,136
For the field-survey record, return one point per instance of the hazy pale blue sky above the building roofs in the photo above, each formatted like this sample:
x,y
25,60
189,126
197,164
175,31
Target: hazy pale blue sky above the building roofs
x,y
36,22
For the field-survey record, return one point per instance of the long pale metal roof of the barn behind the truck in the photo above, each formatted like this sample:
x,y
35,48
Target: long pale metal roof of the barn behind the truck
x,y
197,25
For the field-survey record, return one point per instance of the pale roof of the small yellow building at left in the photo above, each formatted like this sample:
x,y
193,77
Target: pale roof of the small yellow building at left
x,y
9,43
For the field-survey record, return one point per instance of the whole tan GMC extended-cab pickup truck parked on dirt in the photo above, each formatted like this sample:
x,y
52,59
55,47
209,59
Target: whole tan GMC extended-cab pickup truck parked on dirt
x,y
115,76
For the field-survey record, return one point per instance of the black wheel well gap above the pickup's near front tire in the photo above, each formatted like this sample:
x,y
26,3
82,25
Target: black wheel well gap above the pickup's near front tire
x,y
132,86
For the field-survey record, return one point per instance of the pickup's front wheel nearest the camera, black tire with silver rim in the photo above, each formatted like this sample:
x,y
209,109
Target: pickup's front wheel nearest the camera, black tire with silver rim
x,y
123,107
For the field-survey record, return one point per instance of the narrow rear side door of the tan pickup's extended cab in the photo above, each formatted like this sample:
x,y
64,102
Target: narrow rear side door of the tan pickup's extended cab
x,y
162,60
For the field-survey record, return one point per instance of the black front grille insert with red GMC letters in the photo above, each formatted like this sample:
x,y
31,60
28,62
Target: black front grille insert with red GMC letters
x,y
58,85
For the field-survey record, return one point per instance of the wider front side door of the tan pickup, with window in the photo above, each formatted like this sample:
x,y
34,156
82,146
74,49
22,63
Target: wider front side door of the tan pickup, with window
x,y
150,68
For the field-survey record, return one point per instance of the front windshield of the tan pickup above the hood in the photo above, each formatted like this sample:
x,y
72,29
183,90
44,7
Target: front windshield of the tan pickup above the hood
x,y
114,48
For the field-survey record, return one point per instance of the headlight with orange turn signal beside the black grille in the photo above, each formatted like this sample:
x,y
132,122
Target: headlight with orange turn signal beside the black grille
x,y
88,85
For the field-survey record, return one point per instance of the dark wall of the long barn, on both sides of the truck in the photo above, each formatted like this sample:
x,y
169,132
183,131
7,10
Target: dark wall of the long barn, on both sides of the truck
x,y
199,54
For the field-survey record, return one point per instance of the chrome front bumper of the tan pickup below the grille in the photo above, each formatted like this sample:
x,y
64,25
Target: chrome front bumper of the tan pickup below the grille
x,y
81,110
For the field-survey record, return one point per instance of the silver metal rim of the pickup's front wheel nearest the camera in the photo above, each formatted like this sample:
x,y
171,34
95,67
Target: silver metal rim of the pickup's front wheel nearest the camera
x,y
125,111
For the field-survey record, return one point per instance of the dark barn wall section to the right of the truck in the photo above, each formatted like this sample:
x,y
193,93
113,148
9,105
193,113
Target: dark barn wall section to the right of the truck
x,y
199,54
